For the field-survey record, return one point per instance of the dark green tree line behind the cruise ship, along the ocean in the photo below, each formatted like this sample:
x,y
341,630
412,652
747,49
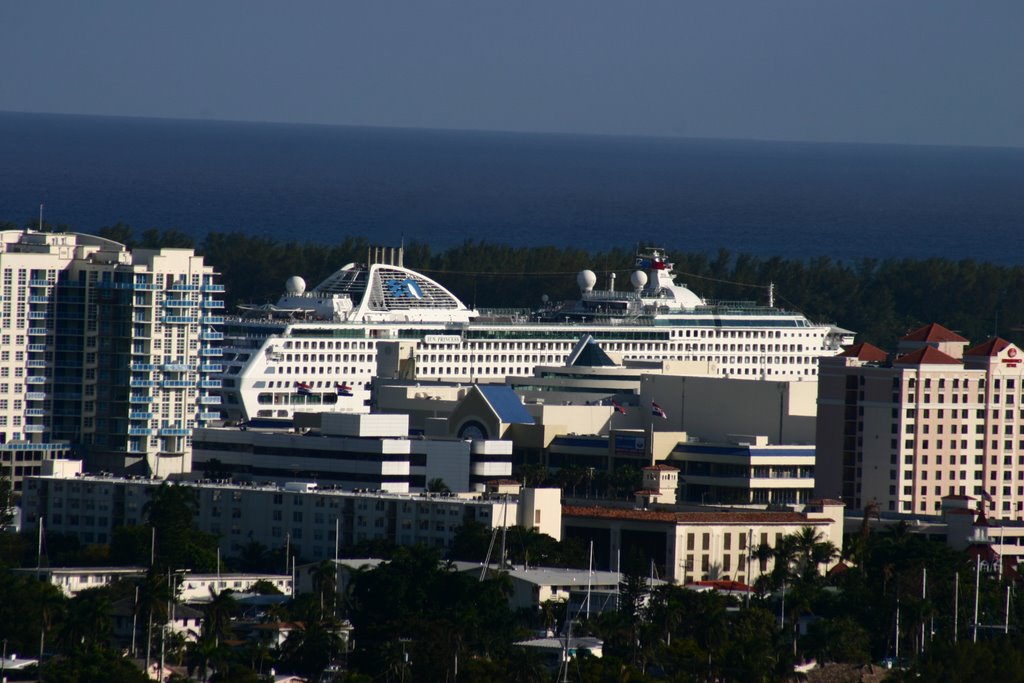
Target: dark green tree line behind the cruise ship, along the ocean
x,y
880,298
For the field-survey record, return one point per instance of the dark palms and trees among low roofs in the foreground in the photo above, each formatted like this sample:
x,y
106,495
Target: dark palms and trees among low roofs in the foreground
x,y
416,615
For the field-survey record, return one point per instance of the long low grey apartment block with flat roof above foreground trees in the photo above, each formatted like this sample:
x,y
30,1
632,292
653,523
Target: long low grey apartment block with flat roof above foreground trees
x,y
314,520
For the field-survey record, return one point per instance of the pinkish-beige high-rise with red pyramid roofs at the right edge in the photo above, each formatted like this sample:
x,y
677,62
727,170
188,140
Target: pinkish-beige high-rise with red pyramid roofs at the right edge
x,y
933,419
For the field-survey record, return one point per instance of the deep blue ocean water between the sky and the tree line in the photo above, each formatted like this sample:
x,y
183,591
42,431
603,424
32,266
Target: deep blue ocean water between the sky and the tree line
x,y
324,183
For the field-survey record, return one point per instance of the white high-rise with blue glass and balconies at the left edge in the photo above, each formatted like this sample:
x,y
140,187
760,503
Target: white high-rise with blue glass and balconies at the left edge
x,y
105,352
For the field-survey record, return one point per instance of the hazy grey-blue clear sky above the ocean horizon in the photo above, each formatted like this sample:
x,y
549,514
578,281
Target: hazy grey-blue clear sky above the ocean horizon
x,y
928,72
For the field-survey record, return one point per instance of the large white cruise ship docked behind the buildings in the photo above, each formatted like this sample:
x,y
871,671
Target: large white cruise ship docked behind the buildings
x,y
318,350
